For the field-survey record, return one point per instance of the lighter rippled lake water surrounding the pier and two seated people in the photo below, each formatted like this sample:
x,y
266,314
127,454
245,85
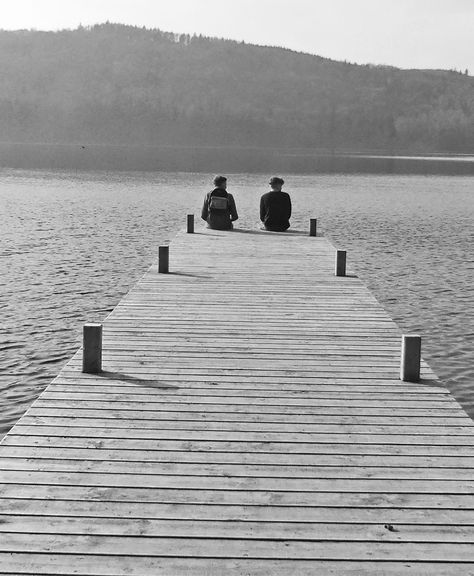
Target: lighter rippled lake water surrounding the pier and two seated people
x,y
71,244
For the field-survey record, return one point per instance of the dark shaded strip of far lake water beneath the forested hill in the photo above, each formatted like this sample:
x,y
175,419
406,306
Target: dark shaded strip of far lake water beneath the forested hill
x,y
121,157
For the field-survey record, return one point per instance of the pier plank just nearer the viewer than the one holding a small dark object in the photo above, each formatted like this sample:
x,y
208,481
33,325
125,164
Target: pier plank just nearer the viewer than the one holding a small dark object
x,y
238,548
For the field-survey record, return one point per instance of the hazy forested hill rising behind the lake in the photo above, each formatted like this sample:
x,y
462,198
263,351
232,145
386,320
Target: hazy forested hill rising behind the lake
x,y
124,85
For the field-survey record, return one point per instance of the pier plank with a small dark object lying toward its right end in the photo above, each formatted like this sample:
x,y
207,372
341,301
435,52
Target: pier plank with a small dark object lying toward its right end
x,y
291,531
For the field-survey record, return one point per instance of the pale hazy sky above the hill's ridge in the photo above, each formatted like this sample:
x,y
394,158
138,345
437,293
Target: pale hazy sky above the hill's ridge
x,y
404,33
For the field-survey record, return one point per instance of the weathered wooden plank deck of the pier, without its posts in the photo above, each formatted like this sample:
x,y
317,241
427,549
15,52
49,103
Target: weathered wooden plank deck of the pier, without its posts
x,y
249,420
